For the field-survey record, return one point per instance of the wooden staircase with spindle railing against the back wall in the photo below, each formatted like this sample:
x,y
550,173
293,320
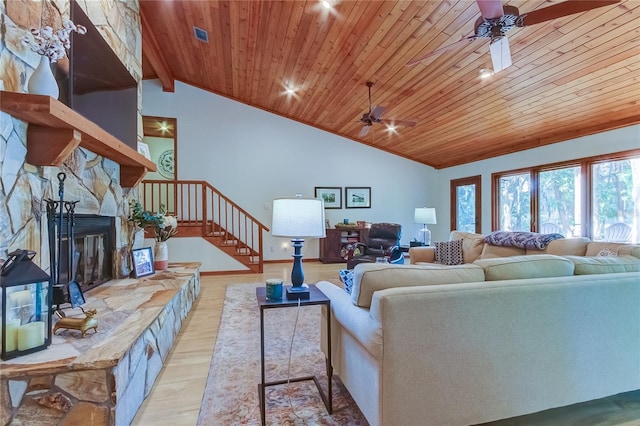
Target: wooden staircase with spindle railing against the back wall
x,y
203,211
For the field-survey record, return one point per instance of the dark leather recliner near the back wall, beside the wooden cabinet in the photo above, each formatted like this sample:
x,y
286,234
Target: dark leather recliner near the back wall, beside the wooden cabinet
x,y
383,241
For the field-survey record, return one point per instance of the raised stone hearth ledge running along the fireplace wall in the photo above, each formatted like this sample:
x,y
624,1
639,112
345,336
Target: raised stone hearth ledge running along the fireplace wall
x,y
105,375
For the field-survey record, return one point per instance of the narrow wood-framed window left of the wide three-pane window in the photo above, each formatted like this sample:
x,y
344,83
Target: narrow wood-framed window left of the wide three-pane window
x,y
466,204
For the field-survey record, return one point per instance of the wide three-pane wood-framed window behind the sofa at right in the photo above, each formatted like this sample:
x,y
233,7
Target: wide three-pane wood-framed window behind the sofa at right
x,y
596,197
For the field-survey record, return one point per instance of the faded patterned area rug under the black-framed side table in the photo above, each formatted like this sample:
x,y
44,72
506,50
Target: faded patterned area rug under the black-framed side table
x,y
231,394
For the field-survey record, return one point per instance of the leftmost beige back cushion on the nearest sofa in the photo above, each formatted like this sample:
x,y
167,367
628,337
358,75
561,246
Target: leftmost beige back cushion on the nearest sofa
x,y
371,277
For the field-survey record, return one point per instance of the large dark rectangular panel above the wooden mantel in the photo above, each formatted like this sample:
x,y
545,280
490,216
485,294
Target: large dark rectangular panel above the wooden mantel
x,y
96,84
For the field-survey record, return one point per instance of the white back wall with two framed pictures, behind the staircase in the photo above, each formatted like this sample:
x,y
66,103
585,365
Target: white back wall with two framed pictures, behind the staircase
x,y
253,156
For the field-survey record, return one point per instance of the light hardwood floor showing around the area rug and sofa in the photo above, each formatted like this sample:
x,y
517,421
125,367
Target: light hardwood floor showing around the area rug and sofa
x,y
177,394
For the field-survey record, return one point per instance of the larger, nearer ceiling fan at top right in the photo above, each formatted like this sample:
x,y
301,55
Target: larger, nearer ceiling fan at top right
x,y
497,20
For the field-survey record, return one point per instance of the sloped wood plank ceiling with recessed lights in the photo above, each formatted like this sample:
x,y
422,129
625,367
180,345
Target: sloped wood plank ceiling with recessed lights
x,y
572,76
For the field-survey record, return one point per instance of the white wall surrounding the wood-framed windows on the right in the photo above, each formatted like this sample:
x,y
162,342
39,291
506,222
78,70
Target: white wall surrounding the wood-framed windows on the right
x,y
602,143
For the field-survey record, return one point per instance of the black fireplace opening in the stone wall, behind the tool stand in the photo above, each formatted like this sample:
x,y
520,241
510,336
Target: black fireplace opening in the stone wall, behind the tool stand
x,y
91,253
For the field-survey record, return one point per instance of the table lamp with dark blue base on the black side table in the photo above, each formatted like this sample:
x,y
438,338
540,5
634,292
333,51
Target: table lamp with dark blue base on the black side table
x,y
298,218
